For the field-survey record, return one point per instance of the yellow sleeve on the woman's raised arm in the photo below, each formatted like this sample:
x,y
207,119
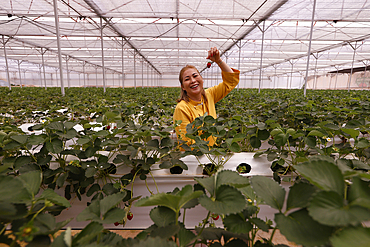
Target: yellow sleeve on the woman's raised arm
x,y
229,82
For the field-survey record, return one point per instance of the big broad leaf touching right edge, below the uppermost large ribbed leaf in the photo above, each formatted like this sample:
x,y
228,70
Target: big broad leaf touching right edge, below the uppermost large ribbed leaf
x,y
327,208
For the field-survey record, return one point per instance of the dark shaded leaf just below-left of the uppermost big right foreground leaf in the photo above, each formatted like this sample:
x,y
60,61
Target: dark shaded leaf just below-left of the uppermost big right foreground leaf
x,y
300,195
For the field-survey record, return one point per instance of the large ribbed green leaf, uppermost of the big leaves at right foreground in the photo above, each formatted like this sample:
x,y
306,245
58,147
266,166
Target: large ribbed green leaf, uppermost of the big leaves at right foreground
x,y
322,173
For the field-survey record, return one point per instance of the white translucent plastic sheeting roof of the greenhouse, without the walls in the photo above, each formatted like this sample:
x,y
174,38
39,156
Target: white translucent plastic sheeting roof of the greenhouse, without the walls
x,y
167,34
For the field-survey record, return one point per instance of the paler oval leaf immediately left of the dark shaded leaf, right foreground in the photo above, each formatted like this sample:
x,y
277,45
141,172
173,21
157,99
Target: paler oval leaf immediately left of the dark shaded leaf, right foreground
x,y
270,191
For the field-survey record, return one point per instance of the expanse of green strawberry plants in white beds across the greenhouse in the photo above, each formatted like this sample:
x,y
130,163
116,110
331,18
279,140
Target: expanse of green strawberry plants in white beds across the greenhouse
x,y
109,148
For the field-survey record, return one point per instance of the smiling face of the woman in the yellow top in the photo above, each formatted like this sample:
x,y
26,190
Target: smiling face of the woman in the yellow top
x,y
192,83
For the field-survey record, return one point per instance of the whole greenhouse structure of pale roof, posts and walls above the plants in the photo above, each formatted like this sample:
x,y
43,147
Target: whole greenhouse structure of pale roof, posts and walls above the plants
x,y
145,43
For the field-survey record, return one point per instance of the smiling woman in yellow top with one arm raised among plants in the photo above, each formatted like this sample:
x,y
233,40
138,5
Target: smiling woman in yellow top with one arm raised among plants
x,y
194,100
